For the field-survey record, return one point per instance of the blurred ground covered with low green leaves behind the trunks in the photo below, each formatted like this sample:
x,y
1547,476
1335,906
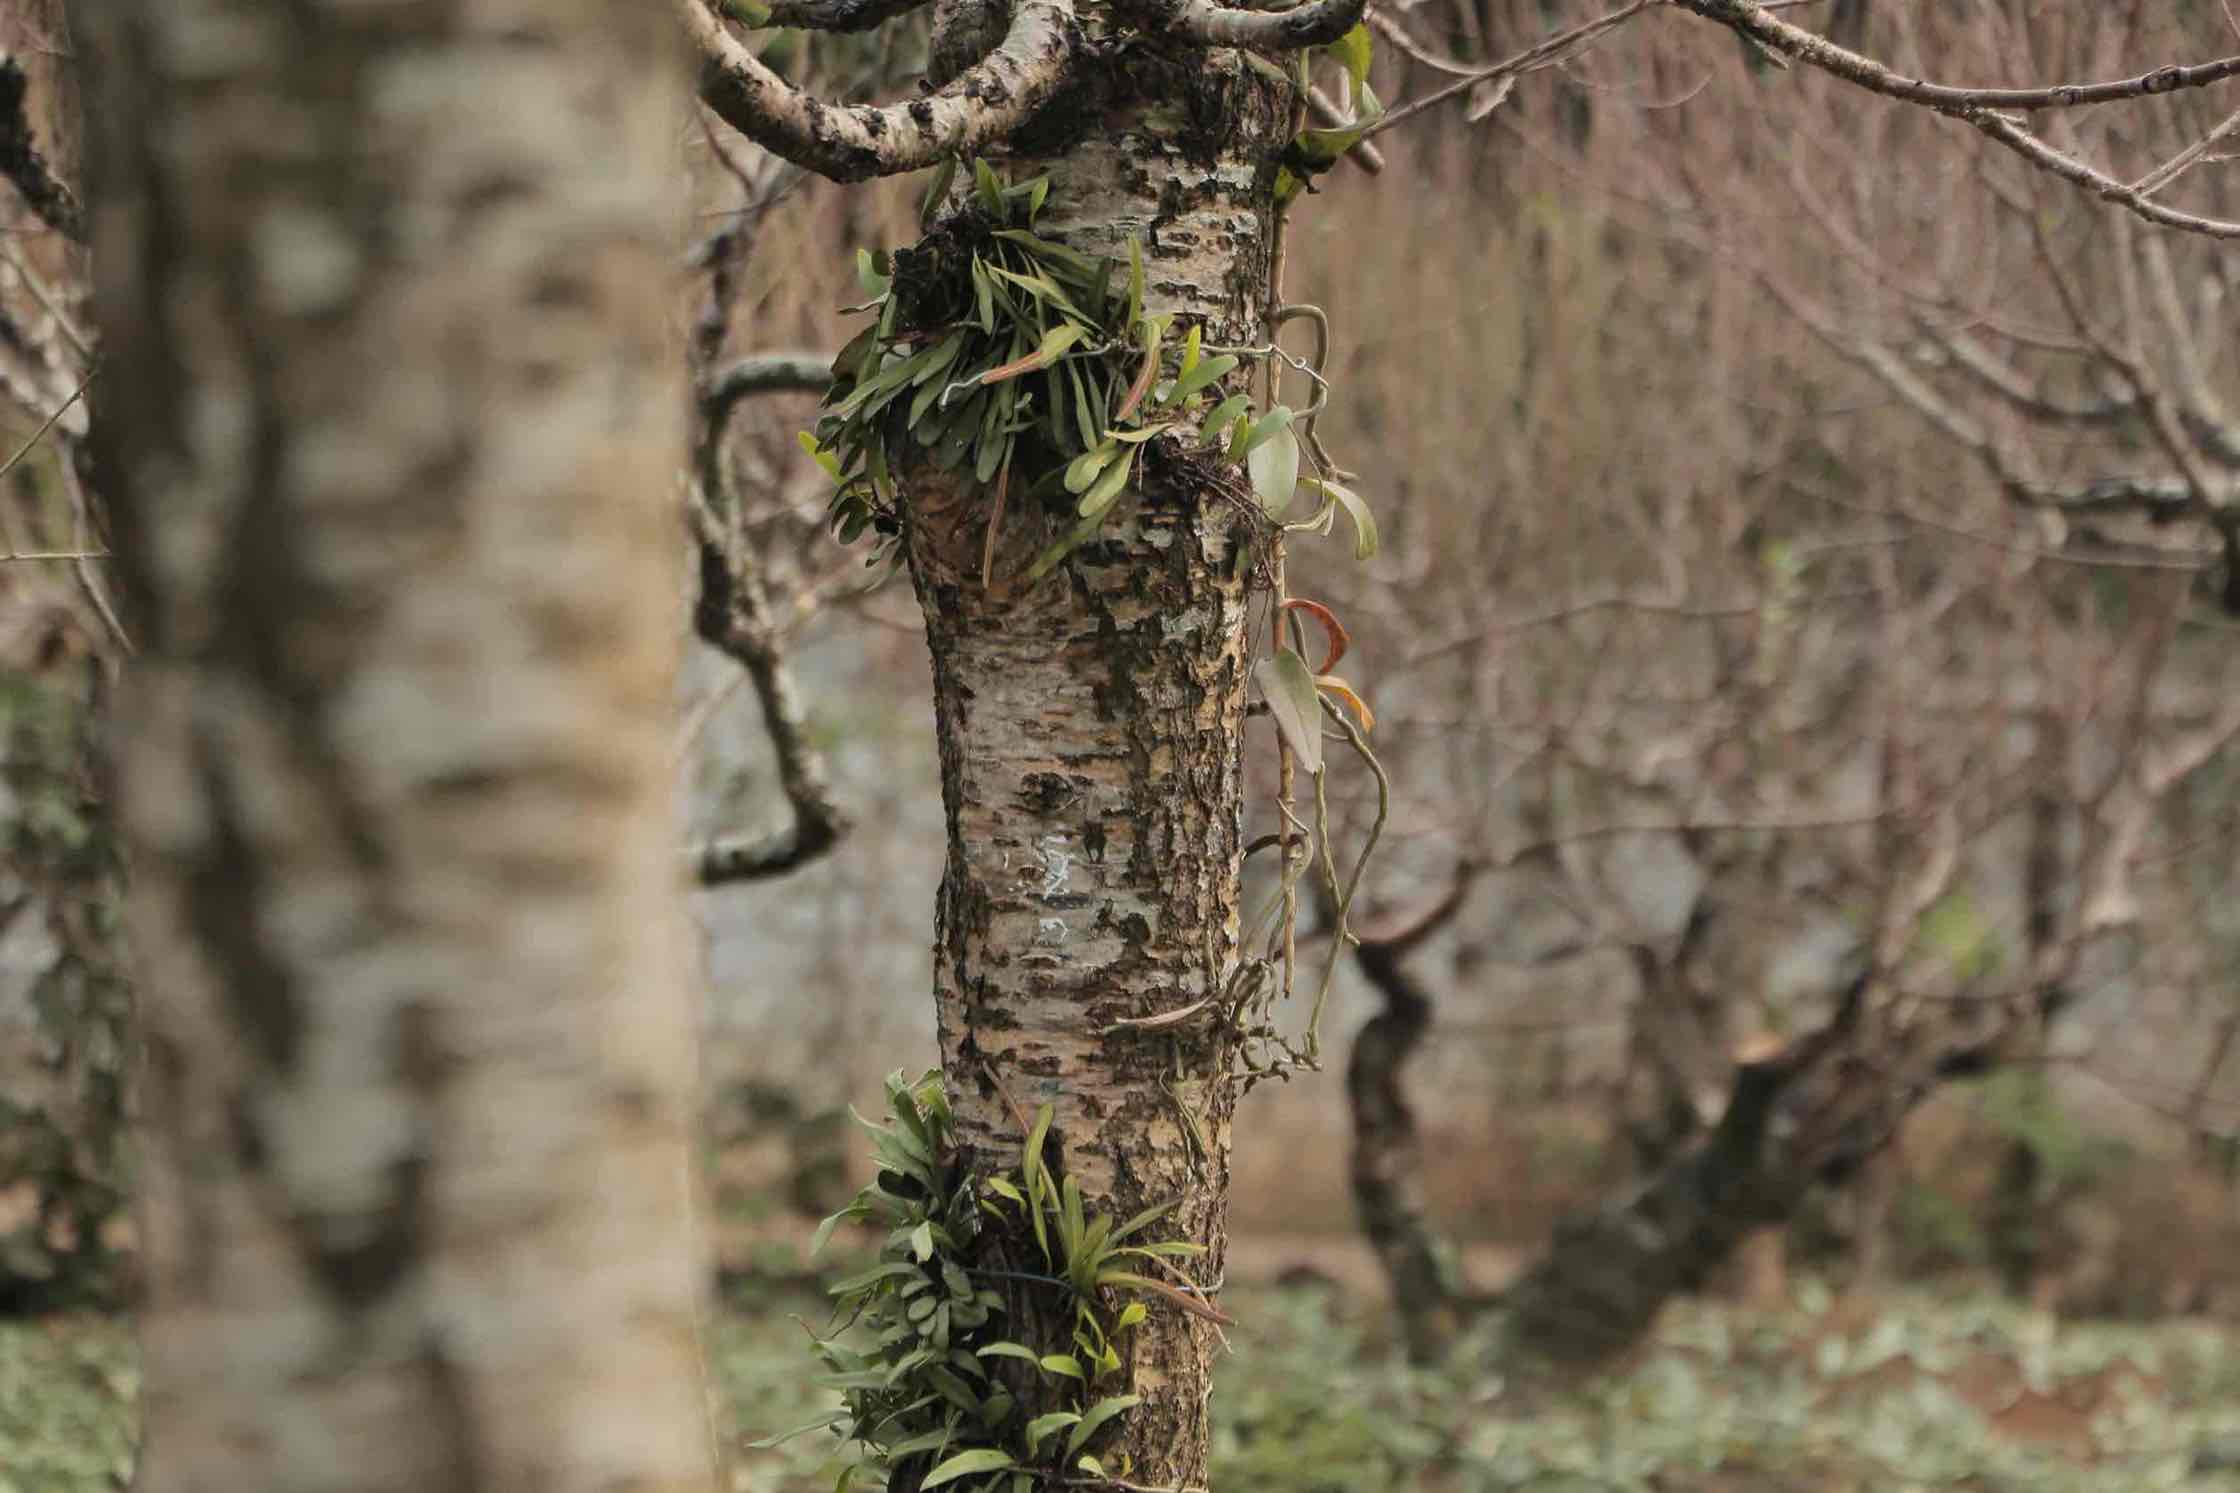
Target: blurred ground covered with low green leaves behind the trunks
x,y
1910,1391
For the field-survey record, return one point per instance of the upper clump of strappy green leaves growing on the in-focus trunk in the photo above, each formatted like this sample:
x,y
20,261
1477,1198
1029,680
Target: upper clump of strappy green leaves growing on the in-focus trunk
x,y
998,348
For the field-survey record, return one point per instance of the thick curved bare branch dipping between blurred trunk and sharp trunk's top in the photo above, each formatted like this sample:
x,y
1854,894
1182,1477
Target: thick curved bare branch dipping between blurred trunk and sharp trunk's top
x,y
852,144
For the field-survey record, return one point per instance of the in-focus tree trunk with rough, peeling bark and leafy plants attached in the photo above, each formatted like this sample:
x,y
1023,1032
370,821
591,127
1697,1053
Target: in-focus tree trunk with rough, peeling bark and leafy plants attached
x,y
1092,758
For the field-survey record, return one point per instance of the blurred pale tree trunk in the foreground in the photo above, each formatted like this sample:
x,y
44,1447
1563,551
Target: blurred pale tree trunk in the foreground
x,y
391,424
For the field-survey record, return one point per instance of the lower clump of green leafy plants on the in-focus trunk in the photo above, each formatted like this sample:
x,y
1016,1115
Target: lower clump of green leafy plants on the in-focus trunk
x,y
928,1391
